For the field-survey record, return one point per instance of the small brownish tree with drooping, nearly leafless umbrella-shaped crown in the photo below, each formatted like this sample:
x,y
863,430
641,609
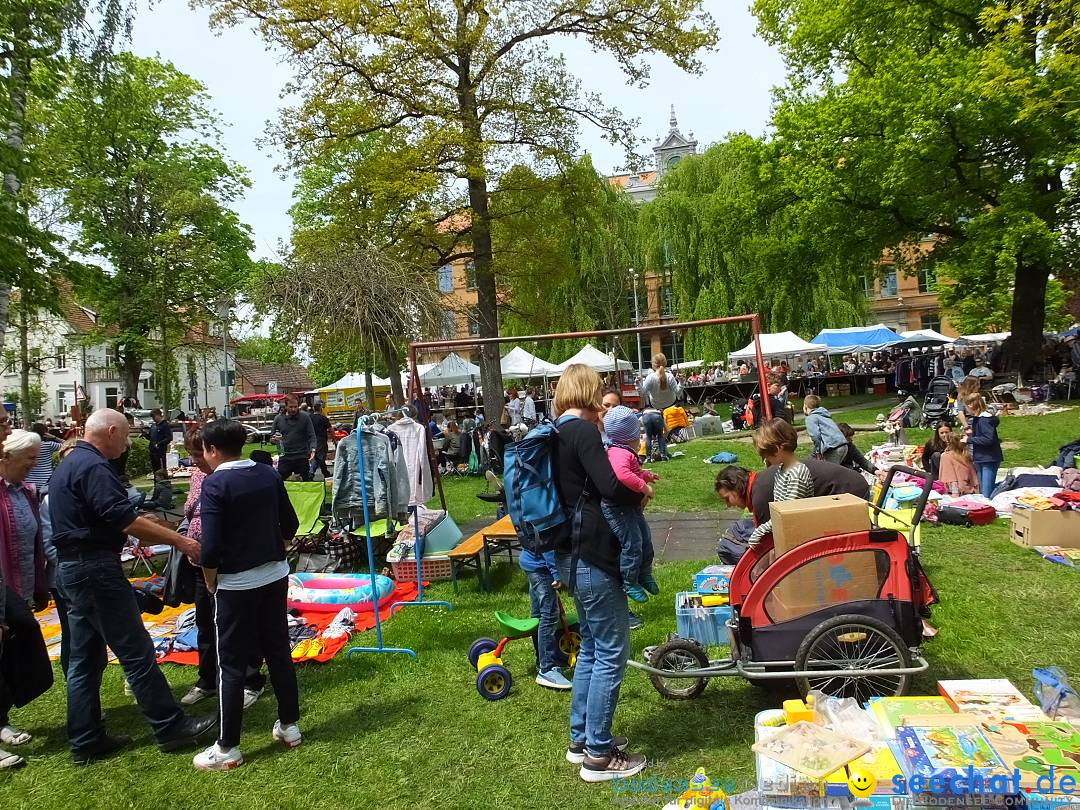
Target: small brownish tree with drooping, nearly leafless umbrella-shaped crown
x,y
352,302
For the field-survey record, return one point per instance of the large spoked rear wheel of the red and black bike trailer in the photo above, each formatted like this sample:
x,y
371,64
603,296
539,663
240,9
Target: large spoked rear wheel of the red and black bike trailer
x,y
854,642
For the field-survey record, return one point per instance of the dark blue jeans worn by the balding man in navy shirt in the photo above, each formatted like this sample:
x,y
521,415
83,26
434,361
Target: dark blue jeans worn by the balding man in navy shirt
x,y
102,611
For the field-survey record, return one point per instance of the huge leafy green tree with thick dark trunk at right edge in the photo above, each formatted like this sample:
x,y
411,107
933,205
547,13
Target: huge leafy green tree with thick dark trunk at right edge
x,y
953,119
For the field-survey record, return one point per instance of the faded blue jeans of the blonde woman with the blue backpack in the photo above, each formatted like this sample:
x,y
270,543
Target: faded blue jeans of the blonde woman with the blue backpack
x,y
602,660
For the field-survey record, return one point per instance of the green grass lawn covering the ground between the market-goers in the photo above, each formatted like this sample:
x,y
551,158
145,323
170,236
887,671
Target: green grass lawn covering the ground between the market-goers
x,y
389,733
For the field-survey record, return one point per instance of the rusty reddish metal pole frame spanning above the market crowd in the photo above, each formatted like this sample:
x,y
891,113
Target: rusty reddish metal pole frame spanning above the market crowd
x,y
417,346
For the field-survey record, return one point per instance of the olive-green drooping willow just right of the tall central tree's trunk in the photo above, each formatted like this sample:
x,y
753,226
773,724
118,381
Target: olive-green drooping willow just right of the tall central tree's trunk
x,y
565,247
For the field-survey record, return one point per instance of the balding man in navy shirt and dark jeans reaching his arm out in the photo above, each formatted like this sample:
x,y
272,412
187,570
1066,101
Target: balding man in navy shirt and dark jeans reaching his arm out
x,y
91,519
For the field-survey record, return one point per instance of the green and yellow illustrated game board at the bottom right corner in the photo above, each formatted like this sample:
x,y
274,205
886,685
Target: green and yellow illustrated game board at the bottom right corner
x,y
1036,750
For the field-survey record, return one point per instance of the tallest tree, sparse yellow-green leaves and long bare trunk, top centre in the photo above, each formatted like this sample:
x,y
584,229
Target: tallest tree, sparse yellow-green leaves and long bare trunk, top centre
x,y
458,90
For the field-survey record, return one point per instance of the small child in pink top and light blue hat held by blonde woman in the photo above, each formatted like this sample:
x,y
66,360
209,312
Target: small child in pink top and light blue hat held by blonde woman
x,y
628,523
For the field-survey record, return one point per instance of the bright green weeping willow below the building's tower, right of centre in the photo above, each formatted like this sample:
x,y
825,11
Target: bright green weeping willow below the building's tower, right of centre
x,y
735,239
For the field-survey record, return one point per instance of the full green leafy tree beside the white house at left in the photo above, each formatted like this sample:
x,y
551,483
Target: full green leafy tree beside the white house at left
x,y
138,165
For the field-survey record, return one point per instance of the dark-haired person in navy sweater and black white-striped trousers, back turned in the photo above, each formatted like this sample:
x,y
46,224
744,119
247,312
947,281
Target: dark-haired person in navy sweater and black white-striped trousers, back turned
x,y
247,522
